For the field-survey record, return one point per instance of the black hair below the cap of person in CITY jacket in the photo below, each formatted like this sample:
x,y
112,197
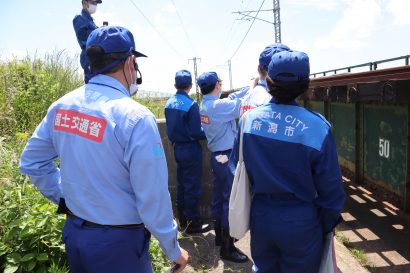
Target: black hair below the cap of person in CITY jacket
x,y
285,92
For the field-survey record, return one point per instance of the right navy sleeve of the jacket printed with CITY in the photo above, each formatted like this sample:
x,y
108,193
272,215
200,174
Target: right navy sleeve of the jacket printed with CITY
x,y
328,181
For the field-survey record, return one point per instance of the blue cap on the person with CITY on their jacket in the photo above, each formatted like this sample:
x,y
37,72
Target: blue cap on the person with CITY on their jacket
x,y
289,66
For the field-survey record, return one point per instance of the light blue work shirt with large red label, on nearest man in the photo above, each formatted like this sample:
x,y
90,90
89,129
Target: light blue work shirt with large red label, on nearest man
x,y
113,169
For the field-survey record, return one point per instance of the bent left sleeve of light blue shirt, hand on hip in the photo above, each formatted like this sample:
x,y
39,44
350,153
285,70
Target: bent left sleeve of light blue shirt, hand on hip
x,y
38,162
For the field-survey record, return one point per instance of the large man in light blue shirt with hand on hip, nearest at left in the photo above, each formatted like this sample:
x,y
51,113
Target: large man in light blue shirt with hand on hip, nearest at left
x,y
113,174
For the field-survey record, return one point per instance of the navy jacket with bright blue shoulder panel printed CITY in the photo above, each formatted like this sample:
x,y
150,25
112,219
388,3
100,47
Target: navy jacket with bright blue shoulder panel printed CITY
x,y
289,150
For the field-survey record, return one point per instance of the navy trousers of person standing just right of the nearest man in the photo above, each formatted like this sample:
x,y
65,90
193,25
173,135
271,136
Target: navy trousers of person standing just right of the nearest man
x,y
189,172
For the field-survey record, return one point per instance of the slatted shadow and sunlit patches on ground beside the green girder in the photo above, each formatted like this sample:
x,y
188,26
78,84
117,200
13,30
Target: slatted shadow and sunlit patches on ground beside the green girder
x,y
378,228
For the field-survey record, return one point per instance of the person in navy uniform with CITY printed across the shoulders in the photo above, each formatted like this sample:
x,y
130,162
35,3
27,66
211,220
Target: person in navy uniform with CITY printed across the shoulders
x,y
292,164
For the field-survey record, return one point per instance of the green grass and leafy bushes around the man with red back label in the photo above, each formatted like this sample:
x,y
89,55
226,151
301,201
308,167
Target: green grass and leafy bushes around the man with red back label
x,y
30,230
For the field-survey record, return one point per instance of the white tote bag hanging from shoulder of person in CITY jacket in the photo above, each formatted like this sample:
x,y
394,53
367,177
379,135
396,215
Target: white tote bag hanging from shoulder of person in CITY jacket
x,y
240,199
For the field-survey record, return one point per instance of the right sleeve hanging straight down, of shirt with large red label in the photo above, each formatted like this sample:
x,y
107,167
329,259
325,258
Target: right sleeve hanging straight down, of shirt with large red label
x,y
145,156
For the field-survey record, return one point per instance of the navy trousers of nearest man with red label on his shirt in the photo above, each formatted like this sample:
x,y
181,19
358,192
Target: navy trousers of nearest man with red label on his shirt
x,y
106,249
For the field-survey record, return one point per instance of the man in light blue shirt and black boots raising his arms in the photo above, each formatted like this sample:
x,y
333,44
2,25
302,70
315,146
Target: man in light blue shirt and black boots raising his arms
x,y
218,120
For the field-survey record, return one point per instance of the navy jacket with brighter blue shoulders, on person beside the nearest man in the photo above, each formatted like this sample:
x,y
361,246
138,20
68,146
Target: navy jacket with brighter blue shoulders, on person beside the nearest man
x,y
182,119
